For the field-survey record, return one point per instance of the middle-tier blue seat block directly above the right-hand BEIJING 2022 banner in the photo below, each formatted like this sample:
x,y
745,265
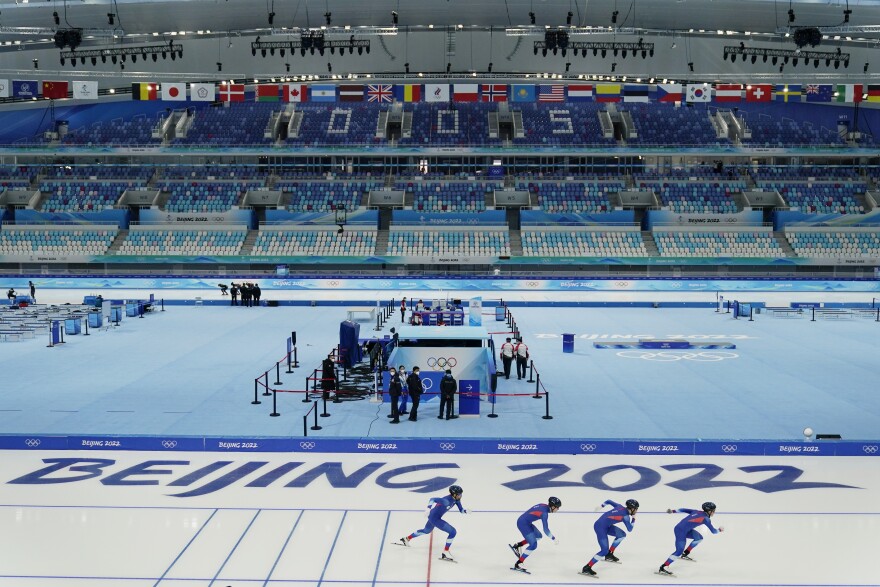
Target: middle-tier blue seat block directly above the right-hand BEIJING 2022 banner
x,y
695,196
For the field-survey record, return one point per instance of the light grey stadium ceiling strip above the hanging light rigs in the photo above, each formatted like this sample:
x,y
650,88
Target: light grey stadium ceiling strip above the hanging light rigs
x,y
24,20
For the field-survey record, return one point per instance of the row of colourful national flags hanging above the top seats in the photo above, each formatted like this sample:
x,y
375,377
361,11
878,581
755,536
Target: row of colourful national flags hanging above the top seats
x,y
388,93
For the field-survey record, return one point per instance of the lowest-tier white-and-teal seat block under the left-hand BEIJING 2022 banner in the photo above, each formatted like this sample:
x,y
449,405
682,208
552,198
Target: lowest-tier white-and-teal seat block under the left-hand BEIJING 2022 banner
x,y
207,241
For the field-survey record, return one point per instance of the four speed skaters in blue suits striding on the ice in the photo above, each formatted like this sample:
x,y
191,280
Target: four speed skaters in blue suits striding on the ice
x,y
606,526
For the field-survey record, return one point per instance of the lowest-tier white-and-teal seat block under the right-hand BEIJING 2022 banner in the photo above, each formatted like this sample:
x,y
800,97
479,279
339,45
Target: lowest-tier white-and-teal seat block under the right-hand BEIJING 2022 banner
x,y
717,244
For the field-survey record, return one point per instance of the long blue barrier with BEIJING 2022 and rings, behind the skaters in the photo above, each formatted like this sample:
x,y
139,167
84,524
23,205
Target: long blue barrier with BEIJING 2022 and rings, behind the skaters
x,y
796,448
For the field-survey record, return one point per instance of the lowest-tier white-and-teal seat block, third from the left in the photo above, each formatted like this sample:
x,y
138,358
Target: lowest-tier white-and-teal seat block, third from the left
x,y
329,242
